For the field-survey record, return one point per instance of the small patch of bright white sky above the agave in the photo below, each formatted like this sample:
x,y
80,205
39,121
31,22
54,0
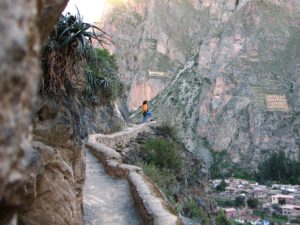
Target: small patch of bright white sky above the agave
x,y
90,10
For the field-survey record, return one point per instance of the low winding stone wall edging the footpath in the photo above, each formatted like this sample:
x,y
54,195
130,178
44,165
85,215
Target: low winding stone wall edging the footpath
x,y
154,208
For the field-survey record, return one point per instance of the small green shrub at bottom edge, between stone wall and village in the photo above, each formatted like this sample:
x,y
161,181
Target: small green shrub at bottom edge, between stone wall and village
x,y
191,209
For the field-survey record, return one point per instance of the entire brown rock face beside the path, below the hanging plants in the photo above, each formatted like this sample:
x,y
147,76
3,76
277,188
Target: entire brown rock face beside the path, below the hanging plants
x,y
53,194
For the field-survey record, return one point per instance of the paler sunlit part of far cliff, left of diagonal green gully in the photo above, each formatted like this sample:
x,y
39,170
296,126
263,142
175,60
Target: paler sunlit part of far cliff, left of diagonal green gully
x,y
158,42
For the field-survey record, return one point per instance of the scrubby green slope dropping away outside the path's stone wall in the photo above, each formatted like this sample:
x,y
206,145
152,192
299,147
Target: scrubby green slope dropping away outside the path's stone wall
x,y
177,172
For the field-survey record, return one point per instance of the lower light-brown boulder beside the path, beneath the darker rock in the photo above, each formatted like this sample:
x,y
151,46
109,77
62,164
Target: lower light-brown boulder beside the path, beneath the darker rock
x,y
53,195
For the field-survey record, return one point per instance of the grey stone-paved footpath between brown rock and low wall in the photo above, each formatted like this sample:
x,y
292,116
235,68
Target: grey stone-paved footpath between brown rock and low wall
x,y
107,200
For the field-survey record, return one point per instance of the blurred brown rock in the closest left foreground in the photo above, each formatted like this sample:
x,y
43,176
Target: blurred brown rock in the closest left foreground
x,y
19,77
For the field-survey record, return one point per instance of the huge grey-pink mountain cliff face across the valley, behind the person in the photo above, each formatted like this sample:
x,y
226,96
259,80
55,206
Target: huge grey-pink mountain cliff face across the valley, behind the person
x,y
225,73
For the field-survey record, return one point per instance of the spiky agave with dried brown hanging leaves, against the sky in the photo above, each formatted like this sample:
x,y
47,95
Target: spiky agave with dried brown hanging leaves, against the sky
x,y
68,47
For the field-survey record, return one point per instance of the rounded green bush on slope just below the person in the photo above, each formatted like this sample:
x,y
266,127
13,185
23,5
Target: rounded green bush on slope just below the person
x,y
161,153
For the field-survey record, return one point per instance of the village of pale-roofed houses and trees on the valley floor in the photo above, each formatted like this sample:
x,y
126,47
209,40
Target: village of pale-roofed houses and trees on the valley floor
x,y
246,202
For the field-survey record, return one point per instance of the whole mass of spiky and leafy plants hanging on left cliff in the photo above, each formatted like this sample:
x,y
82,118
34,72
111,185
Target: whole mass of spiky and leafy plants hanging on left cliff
x,y
69,53
